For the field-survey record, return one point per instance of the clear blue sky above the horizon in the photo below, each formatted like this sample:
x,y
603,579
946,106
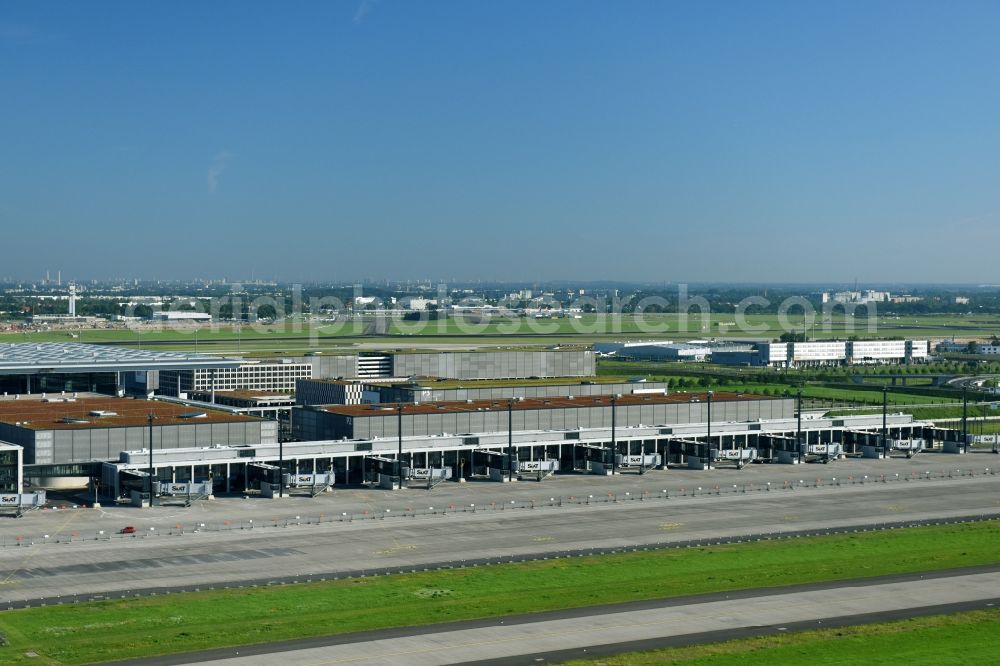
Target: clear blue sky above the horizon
x,y
463,139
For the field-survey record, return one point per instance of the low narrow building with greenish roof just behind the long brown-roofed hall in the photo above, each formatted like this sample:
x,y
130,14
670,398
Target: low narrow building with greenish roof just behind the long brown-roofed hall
x,y
343,392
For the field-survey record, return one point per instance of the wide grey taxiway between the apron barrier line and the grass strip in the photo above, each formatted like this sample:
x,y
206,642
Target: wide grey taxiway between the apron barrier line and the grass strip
x,y
207,558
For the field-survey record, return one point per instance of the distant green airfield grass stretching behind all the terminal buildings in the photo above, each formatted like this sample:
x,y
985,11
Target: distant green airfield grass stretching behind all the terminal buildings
x,y
297,335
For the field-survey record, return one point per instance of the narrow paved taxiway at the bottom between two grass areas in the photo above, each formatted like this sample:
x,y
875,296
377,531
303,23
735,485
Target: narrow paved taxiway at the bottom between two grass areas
x,y
616,630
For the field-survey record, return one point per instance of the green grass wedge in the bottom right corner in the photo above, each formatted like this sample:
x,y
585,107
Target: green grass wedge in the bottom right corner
x,y
960,638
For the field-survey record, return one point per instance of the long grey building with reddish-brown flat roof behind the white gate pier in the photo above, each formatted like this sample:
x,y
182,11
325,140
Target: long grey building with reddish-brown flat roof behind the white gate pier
x,y
479,416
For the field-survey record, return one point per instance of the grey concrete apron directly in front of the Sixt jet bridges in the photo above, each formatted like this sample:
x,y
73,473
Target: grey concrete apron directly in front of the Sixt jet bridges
x,y
235,512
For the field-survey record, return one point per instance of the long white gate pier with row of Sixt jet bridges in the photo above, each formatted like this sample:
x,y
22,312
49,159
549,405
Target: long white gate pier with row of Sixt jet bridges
x,y
502,456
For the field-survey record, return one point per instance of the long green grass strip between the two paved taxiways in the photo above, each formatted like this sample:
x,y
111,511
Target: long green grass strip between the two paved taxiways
x,y
102,631
